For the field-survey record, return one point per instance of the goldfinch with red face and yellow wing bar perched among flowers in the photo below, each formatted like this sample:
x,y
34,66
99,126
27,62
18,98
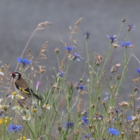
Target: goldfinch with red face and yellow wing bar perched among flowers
x,y
22,87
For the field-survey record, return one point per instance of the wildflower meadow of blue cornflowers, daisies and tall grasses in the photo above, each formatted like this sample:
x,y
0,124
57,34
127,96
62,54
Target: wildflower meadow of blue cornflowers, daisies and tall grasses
x,y
69,110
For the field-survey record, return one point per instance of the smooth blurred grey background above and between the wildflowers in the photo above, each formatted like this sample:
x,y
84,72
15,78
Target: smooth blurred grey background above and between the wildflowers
x,y
19,18
